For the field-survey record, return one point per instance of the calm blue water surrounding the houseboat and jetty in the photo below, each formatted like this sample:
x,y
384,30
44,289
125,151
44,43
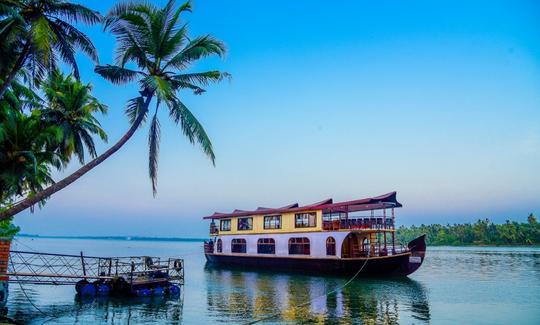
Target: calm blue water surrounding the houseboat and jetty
x,y
460,285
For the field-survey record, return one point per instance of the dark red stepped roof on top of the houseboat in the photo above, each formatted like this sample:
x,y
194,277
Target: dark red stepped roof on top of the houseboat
x,y
388,200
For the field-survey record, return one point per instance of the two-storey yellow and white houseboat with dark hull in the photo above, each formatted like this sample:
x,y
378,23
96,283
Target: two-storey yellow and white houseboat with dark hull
x,y
325,238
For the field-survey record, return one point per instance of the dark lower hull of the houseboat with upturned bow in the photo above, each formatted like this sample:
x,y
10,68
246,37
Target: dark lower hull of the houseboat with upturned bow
x,y
392,265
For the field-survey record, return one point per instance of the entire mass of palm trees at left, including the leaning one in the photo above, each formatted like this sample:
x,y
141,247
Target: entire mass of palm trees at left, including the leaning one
x,y
47,118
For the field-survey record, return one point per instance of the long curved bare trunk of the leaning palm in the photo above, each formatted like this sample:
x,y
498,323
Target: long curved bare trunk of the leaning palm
x,y
32,200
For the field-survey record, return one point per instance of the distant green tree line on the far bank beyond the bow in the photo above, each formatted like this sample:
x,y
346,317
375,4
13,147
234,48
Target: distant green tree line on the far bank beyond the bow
x,y
482,232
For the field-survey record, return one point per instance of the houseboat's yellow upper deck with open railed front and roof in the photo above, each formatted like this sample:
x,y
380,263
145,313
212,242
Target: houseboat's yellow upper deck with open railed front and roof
x,y
370,214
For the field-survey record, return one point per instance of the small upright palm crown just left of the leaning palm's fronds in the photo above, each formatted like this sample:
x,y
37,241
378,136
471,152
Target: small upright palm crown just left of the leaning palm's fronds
x,y
71,107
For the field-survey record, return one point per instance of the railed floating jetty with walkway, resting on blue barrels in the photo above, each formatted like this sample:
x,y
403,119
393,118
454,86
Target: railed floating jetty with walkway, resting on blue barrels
x,y
121,276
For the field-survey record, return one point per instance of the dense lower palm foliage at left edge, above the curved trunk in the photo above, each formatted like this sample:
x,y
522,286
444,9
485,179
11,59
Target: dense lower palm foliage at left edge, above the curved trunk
x,y
40,135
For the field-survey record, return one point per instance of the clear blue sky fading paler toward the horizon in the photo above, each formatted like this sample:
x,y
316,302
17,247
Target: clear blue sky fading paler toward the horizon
x,y
437,100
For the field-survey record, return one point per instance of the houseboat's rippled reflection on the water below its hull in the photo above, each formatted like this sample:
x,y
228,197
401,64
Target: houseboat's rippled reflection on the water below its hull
x,y
247,296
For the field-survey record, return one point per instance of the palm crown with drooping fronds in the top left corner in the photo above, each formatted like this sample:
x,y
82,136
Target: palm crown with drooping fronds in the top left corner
x,y
40,31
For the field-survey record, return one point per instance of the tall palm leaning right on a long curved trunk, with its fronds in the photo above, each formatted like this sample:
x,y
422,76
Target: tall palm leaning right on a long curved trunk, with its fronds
x,y
153,40
